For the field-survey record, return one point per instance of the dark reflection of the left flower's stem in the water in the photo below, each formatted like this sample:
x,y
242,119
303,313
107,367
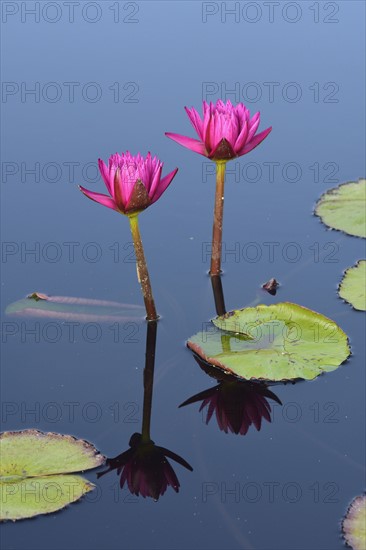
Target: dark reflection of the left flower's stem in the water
x,y
148,380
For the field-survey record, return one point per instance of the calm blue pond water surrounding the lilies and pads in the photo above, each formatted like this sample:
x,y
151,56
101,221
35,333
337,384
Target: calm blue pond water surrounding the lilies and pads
x,y
85,81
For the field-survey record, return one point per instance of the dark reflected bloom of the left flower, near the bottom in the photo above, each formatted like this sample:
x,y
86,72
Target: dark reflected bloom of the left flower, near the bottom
x,y
145,468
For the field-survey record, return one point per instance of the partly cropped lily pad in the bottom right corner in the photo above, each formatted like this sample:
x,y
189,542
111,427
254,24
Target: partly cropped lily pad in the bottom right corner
x,y
354,524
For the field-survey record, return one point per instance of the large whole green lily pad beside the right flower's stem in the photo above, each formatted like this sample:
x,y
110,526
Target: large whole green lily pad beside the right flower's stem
x,y
279,342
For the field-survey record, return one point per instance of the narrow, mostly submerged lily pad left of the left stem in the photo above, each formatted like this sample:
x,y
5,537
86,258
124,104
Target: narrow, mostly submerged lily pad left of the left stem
x,y
73,308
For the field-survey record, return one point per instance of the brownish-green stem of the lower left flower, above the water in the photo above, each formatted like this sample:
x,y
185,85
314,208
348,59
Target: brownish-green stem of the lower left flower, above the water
x,y
142,272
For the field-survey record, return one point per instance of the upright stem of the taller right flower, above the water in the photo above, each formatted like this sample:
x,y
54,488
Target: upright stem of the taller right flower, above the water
x,y
218,218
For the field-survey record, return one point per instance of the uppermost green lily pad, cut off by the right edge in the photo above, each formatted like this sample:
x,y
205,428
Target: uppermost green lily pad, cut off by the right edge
x,y
344,208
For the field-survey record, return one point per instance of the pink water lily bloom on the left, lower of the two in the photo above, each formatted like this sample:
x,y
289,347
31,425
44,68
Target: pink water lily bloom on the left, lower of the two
x,y
133,183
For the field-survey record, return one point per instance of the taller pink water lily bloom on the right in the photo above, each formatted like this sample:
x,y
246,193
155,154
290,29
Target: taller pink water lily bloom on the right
x,y
224,133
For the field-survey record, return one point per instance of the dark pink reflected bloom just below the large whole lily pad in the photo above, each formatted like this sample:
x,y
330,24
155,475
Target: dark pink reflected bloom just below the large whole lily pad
x,y
237,404
